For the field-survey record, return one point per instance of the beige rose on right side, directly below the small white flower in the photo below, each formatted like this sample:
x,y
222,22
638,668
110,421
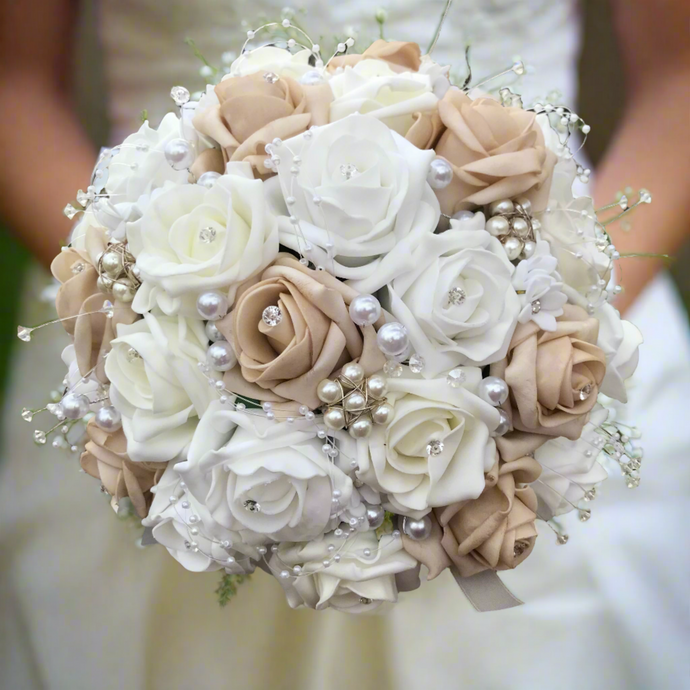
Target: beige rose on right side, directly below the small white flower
x,y
554,376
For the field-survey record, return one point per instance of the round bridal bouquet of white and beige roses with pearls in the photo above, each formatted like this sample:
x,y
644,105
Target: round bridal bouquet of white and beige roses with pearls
x,y
338,319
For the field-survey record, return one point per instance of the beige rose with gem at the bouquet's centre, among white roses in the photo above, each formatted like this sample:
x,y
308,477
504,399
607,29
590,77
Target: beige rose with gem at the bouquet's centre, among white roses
x,y
314,338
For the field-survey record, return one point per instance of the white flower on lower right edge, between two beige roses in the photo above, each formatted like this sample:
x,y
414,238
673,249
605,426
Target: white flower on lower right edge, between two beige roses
x,y
570,468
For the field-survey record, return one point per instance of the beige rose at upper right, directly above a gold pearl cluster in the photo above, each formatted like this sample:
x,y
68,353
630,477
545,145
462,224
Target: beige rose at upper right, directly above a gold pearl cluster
x,y
496,153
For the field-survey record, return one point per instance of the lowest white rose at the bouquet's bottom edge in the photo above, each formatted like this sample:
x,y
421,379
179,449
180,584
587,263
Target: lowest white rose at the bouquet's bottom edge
x,y
355,584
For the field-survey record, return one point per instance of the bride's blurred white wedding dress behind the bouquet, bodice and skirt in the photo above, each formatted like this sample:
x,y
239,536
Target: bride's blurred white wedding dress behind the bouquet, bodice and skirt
x,y
83,607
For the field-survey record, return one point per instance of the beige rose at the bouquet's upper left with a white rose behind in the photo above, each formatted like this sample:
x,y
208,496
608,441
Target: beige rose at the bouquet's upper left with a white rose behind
x,y
243,114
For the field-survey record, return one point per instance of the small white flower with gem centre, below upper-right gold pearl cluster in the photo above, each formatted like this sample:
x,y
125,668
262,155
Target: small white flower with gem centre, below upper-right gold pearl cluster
x,y
539,287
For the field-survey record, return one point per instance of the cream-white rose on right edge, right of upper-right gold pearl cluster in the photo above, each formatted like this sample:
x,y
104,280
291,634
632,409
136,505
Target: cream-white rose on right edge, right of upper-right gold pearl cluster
x,y
569,226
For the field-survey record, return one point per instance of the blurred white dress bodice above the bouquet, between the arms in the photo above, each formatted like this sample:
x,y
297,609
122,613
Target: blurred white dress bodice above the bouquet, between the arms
x,y
145,52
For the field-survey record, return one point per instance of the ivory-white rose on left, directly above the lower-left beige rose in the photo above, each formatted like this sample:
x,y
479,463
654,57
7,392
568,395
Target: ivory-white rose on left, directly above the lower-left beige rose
x,y
157,386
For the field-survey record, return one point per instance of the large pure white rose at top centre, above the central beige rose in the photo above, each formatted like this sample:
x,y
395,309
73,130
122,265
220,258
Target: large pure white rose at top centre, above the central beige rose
x,y
361,198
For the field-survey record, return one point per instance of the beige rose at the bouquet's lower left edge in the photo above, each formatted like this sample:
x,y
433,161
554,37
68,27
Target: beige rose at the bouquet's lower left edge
x,y
105,458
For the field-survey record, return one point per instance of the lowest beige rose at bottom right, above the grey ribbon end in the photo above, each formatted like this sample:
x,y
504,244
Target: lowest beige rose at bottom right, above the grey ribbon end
x,y
496,531
